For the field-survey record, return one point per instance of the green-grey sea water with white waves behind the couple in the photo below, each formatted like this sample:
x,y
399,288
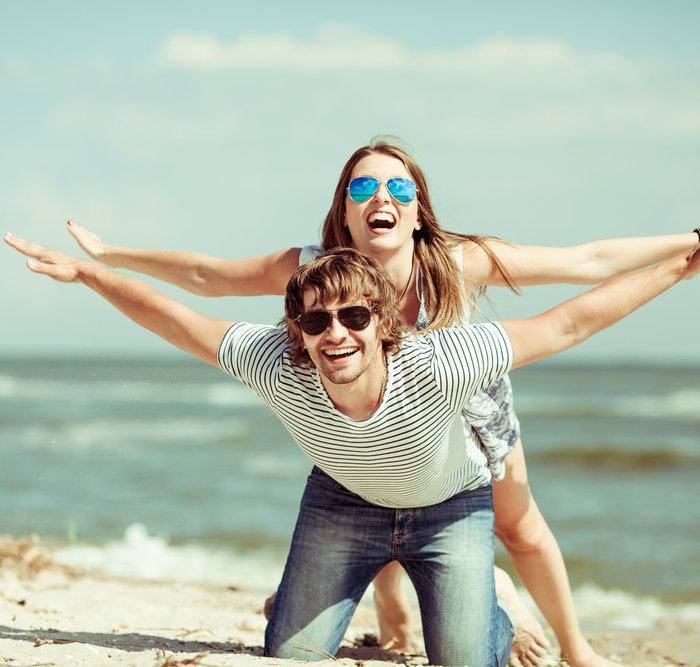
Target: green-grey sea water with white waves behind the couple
x,y
169,469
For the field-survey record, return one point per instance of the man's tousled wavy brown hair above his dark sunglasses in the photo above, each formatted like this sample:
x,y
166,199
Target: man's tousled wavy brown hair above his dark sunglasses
x,y
343,274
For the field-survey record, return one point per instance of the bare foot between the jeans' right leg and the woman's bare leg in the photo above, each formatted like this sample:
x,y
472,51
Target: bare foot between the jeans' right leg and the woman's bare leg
x,y
530,645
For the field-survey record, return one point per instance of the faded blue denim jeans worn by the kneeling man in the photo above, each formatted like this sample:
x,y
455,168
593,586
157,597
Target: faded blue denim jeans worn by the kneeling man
x,y
341,542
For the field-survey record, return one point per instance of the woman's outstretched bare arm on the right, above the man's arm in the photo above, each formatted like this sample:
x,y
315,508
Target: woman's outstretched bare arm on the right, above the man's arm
x,y
587,263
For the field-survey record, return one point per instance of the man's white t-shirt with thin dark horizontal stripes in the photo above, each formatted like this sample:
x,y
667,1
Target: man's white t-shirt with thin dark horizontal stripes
x,y
412,451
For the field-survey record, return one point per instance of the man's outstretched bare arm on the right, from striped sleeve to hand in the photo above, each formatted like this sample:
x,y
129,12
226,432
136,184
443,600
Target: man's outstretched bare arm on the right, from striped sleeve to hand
x,y
575,320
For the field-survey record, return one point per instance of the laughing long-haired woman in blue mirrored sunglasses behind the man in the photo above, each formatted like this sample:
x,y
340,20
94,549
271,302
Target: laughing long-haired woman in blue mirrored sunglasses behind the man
x,y
436,273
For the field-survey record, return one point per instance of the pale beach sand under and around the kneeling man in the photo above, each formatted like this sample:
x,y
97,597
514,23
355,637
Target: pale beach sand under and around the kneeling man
x,y
51,614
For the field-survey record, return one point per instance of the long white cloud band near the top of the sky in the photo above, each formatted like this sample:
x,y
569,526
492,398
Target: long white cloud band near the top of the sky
x,y
339,48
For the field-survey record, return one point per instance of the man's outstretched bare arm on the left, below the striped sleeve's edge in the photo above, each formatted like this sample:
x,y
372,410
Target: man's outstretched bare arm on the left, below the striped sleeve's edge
x,y
188,330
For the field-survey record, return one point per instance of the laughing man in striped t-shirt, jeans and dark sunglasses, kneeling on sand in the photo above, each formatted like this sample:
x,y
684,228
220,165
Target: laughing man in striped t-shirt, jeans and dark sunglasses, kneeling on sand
x,y
376,412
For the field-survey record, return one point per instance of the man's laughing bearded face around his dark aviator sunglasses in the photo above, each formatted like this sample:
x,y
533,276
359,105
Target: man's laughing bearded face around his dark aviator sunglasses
x,y
341,354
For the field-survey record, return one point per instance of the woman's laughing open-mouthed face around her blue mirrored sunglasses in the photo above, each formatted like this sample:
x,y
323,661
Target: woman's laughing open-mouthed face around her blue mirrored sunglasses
x,y
381,224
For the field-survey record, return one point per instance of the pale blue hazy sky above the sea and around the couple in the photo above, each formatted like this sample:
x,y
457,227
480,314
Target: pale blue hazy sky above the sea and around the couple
x,y
221,127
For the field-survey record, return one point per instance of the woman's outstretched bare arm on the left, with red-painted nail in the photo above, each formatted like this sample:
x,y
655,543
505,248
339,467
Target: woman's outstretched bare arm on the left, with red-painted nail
x,y
196,272
